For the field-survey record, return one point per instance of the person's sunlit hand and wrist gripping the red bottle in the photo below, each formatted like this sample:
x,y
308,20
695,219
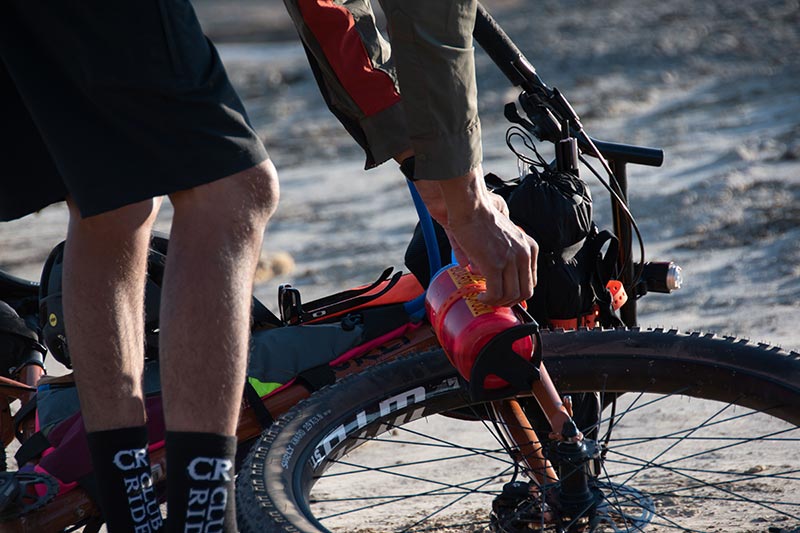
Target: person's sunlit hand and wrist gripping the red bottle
x,y
483,236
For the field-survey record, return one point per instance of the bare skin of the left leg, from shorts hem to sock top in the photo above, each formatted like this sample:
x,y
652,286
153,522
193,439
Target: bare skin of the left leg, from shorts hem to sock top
x,y
105,263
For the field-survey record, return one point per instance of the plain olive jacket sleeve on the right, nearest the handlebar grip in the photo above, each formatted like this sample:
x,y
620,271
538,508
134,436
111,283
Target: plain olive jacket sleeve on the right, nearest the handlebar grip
x,y
434,56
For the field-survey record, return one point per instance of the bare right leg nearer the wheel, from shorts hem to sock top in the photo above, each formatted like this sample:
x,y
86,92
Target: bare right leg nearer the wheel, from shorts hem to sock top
x,y
214,247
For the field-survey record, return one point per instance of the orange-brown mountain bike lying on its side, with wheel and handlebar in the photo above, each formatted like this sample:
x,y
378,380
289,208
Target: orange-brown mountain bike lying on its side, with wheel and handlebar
x,y
620,429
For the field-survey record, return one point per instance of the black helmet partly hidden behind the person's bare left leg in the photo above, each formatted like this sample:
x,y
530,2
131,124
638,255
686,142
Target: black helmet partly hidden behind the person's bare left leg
x,y
51,310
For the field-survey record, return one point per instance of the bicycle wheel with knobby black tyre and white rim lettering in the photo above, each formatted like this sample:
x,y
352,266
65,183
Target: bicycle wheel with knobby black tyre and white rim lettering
x,y
706,441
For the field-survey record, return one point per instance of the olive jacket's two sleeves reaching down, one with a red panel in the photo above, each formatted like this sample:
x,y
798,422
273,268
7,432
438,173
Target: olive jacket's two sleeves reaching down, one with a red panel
x,y
431,61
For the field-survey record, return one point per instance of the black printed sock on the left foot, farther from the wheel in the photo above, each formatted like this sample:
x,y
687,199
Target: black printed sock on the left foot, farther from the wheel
x,y
125,485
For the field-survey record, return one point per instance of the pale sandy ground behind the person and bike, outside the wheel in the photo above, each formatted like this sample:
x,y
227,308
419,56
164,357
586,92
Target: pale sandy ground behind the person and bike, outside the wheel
x,y
715,84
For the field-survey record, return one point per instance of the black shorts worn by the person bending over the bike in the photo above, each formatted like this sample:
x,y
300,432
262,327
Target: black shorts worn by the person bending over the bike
x,y
112,103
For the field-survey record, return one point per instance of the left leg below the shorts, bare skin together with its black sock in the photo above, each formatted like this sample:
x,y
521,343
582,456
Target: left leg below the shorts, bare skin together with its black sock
x,y
105,264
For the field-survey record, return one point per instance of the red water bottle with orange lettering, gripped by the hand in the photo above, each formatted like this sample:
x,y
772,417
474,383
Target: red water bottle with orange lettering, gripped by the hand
x,y
464,325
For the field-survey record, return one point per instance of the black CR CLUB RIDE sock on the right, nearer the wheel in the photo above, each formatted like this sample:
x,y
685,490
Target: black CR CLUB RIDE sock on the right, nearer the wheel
x,y
200,476
